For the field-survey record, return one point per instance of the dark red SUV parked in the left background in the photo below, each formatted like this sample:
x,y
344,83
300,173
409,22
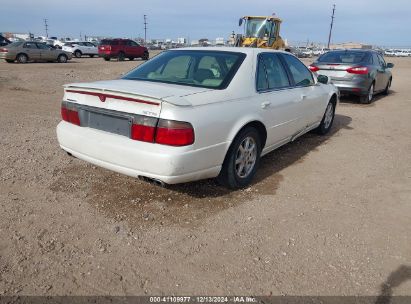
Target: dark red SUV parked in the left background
x,y
121,49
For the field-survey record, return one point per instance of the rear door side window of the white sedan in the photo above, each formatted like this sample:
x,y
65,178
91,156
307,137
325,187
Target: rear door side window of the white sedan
x,y
271,73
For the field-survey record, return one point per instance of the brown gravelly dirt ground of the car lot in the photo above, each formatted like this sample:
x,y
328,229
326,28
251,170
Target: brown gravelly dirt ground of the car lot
x,y
325,215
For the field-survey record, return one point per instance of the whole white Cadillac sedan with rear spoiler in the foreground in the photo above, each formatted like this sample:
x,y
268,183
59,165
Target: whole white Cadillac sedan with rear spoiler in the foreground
x,y
196,113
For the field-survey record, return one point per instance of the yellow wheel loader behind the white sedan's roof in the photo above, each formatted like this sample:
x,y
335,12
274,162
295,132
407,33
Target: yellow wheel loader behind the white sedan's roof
x,y
261,32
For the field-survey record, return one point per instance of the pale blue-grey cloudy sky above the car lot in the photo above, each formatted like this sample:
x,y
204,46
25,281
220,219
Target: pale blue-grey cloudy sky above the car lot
x,y
377,22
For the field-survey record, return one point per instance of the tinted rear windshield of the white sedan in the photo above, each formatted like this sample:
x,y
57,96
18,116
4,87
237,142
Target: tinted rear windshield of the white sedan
x,y
207,69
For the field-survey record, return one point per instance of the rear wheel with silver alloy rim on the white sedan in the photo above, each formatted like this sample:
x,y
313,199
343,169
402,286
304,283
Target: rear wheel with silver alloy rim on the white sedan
x,y
242,159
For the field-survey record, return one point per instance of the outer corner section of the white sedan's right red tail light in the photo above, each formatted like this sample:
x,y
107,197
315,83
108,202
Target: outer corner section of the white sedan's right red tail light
x,y
174,133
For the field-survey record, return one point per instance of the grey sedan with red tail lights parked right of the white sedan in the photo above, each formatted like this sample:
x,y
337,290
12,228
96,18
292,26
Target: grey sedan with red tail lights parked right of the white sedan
x,y
360,72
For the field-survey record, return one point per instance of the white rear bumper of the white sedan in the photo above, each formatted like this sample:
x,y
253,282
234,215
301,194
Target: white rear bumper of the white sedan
x,y
170,165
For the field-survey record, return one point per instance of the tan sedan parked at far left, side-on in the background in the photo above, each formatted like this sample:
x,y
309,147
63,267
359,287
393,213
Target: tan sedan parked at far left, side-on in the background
x,y
25,51
